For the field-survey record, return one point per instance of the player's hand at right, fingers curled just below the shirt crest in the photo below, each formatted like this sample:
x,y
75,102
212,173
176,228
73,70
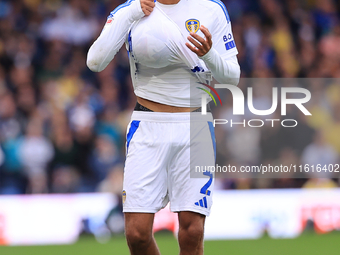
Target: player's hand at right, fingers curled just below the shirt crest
x,y
199,45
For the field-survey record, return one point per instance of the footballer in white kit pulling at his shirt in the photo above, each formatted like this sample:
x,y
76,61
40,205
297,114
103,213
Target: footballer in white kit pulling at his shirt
x,y
174,47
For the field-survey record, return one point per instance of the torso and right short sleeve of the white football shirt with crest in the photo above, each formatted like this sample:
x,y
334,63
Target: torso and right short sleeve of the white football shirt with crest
x,y
161,63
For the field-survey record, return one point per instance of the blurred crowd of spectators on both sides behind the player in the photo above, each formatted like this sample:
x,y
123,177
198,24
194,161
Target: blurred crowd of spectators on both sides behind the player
x,y
62,127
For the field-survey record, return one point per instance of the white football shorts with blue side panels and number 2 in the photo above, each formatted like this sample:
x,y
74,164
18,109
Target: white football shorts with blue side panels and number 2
x,y
163,153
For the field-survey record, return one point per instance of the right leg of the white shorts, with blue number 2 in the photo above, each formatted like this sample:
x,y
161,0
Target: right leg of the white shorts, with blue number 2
x,y
190,188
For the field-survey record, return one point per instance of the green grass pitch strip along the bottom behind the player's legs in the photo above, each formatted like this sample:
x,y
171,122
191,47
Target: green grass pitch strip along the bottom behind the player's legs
x,y
307,244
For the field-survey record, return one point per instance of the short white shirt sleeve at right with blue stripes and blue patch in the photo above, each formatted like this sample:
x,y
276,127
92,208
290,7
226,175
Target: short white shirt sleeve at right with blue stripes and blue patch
x,y
222,35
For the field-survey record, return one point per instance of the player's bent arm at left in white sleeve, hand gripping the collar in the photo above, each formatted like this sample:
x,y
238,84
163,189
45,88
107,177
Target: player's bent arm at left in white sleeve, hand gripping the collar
x,y
115,32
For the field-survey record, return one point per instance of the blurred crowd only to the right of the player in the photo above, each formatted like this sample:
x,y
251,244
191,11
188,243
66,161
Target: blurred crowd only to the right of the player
x,y
296,40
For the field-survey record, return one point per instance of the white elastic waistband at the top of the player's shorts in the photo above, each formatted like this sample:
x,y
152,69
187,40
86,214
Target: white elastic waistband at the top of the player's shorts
x,y
171,117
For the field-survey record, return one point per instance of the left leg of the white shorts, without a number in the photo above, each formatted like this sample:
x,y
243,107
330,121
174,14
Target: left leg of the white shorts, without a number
x,y
145,175
